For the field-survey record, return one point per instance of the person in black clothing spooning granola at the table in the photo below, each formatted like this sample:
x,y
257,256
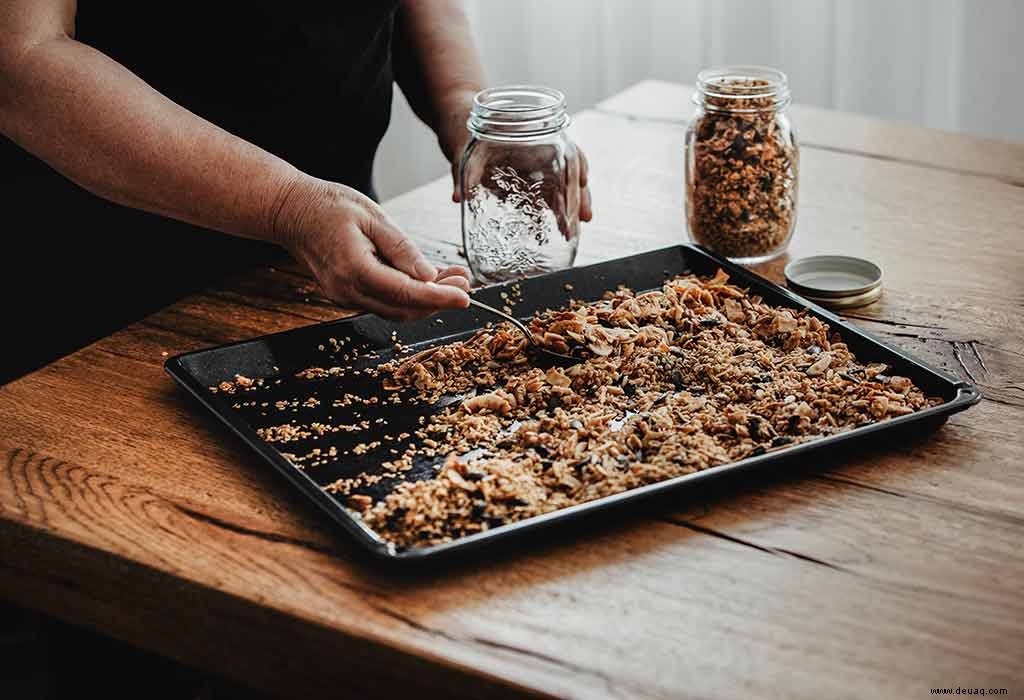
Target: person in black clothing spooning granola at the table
x,y
260,120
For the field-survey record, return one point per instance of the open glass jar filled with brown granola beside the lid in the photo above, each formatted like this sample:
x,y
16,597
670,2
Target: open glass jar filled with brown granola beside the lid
x,y
742,164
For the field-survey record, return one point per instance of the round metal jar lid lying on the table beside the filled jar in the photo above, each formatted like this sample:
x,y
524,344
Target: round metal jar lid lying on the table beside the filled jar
x,y
836,281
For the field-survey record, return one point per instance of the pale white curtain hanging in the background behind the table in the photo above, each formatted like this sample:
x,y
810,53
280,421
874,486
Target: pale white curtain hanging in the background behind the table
x,y
956,65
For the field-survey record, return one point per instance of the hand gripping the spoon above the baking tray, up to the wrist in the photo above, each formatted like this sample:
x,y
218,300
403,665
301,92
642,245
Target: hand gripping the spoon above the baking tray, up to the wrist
x,y
360,258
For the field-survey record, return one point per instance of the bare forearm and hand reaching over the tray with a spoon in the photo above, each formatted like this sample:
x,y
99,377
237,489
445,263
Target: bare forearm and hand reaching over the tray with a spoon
x,y
103,127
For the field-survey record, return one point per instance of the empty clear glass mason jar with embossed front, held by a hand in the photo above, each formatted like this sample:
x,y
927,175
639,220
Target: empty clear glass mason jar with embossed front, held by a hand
x,y
520,185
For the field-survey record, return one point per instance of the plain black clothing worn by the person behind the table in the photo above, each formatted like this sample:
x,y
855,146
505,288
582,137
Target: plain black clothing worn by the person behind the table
x,y
310,82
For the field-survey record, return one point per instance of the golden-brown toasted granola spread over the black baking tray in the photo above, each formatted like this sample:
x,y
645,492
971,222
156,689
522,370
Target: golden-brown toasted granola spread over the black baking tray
x,y
676,381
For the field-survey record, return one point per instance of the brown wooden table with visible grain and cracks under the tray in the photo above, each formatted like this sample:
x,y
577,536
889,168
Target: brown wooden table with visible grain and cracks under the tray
x,y
879,574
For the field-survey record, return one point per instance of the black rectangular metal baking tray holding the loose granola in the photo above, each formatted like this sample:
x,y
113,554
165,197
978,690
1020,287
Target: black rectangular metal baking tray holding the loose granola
x,y
279,357
